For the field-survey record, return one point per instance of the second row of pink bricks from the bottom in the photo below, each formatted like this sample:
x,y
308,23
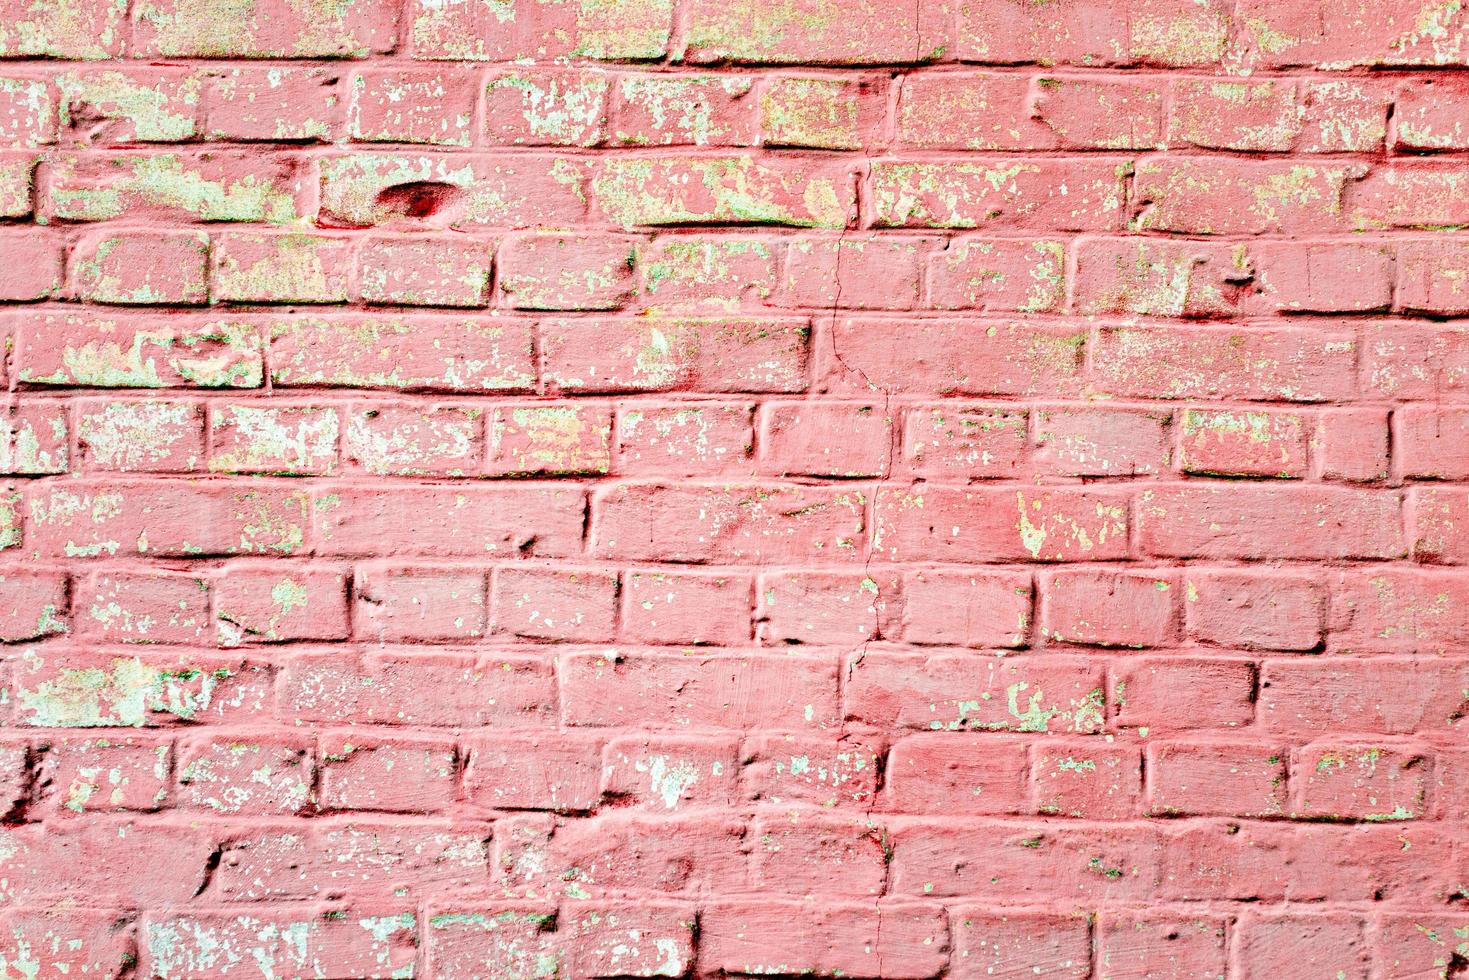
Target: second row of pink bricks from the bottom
x,y
1007,860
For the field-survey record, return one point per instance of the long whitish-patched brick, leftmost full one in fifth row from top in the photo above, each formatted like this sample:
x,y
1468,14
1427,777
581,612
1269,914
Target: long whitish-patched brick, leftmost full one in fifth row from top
x,y
120,352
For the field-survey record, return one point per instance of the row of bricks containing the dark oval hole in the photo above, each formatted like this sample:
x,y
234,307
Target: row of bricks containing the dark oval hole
x,y
1169,193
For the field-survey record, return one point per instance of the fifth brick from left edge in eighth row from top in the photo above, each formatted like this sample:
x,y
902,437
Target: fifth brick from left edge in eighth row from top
x,y
556,605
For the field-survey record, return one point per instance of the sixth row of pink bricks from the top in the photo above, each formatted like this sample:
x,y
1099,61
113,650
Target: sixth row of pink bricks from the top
x,y
957,440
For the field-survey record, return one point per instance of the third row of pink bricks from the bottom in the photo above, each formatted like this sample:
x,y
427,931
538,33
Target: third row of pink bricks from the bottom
x,y
265,774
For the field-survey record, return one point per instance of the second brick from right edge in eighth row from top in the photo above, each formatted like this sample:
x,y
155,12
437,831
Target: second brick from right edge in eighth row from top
x,y
1270,612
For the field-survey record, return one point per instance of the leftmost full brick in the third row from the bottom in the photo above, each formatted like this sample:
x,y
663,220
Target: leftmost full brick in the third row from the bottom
x,y
107,775
